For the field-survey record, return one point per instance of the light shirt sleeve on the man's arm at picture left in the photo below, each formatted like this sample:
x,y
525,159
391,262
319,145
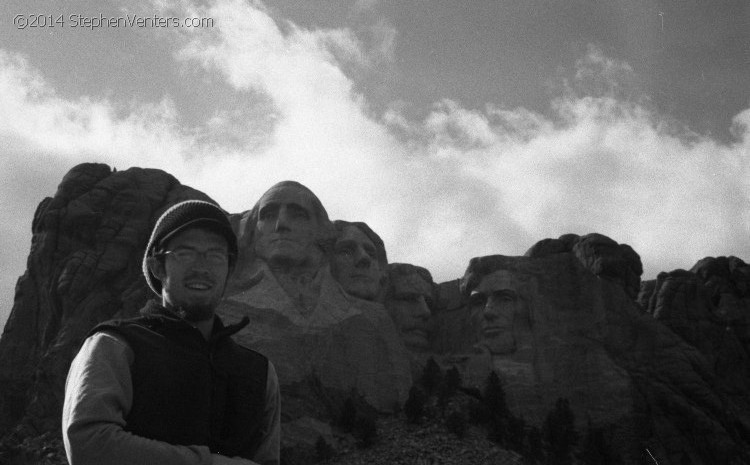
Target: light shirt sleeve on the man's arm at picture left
x,y
98,397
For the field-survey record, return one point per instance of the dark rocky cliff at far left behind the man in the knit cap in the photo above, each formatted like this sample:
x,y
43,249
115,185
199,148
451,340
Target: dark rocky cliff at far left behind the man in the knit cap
x,y
84,267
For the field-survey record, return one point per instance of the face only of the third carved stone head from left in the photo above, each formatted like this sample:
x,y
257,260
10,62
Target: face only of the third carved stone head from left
x,y
408,309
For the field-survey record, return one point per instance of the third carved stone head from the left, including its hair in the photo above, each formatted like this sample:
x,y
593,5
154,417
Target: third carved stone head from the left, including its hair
x,y
410,293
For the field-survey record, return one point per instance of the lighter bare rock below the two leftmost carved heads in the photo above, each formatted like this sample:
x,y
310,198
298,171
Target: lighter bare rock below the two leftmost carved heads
x,y
347,343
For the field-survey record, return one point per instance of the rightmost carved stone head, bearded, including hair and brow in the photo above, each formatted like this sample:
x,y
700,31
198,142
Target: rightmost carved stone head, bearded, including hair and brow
x,y
494,298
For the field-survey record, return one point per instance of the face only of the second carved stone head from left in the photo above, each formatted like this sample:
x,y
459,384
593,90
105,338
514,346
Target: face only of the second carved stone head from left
x,y
355,264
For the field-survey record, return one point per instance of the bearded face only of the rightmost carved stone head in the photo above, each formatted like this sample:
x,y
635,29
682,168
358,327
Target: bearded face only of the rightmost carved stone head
x,y
496,300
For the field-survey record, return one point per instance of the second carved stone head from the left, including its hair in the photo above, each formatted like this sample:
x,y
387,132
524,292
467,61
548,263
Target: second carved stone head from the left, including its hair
x,y
359,260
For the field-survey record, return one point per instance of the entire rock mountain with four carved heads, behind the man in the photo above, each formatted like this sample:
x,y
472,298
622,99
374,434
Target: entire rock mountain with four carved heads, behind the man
x,y
663,365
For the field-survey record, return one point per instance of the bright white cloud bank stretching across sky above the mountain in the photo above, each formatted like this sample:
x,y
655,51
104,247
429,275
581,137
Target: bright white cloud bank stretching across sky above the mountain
x,y
441,189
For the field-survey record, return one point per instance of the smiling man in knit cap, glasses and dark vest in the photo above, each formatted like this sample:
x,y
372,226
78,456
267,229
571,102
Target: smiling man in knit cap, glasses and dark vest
x,y
171,386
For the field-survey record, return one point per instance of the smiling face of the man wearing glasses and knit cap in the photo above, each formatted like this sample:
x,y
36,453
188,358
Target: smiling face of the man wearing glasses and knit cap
x,y
196,288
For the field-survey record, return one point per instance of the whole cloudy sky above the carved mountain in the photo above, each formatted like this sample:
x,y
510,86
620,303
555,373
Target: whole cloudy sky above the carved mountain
x,y
454,129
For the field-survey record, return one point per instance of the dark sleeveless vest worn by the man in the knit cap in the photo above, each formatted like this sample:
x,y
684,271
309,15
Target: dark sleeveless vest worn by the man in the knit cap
x,y
189,391
